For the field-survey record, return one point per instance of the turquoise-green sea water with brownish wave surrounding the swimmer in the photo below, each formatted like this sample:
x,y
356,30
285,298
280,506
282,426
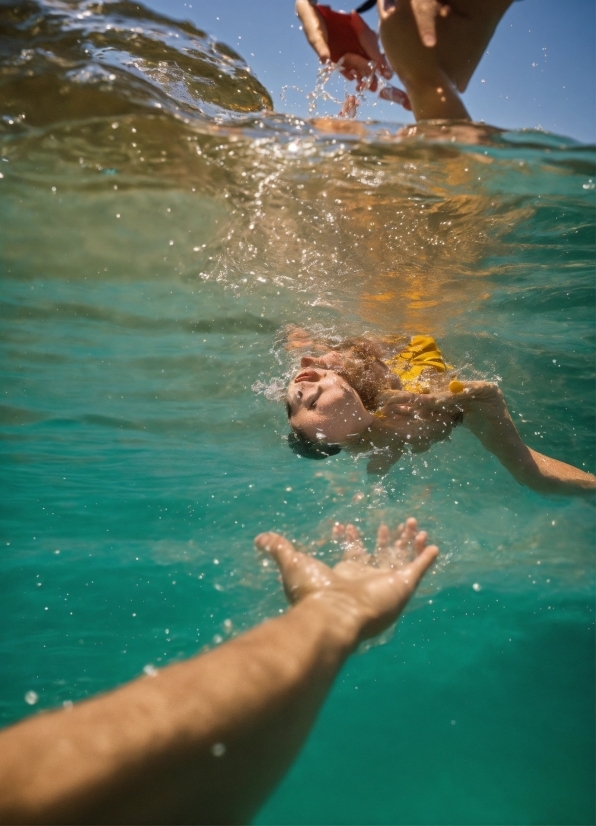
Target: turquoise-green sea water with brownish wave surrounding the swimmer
x,y
150,257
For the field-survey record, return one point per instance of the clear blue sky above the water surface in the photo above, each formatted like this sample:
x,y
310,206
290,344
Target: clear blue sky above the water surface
x,y
539,69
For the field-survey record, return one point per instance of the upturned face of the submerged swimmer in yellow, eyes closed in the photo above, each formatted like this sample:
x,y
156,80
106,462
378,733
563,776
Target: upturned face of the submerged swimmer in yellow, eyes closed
x,y
323,406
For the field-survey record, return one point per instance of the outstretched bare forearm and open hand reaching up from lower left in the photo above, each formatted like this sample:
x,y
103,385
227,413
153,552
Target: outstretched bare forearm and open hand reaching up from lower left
x,y
206,740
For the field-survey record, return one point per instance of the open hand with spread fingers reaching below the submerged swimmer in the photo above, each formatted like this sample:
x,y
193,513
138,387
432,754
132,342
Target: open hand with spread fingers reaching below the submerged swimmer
x,y
372,588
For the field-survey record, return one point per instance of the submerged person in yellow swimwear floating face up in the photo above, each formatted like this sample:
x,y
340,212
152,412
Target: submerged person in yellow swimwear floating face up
x,y
381,395
